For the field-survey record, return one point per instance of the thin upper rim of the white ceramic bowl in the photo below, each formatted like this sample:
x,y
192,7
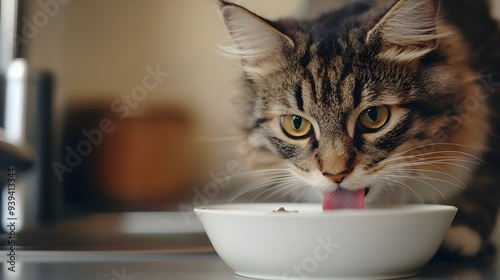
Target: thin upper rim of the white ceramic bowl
x,y
373,210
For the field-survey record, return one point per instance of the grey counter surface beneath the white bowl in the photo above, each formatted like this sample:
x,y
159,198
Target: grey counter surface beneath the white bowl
x,y
133,265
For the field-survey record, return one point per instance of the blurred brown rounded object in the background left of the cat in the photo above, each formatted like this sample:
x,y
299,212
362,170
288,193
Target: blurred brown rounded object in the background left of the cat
x,y
147,159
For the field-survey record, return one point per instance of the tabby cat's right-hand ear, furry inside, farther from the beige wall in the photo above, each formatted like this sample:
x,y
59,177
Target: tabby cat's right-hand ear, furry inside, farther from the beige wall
x,y
408,31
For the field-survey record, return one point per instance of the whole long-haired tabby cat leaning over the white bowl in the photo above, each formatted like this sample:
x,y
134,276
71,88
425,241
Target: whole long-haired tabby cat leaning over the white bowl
x,y
392,97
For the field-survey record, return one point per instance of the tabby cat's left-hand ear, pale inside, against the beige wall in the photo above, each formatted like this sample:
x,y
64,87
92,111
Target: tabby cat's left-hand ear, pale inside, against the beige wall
x,y
259,45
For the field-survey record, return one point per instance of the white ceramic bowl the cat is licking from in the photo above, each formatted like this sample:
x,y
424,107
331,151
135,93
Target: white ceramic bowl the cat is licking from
x,y
374,243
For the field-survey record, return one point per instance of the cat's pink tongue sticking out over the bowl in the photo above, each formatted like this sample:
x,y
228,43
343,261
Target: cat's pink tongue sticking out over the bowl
x,y
344,199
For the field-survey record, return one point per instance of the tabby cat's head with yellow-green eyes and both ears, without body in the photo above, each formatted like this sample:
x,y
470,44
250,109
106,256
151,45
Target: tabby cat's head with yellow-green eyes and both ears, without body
x,y
354,98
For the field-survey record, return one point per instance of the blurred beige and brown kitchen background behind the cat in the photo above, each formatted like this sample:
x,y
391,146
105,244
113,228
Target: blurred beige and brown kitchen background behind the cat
x,y
126,112
